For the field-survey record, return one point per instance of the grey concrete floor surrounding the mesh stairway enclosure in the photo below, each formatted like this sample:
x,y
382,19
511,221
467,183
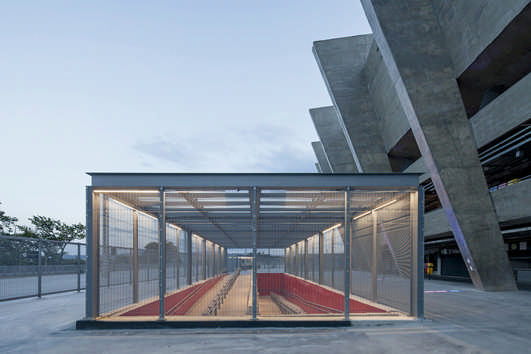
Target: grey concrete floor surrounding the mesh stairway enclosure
x,y
461,321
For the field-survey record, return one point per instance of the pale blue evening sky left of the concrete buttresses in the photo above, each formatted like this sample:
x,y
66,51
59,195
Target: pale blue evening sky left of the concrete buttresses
x,y
156,86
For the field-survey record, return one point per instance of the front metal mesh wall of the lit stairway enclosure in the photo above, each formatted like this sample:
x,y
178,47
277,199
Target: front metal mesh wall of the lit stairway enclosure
x,y
299,235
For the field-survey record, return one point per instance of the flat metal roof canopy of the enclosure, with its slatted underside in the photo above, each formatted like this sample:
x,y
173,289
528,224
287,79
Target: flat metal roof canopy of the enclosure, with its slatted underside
x,y
218,207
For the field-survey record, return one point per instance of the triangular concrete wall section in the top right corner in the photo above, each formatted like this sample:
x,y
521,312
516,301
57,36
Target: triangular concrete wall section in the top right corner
x,y
469,26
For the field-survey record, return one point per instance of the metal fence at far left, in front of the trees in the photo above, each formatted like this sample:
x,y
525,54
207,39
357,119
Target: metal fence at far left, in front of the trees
x,y
33,267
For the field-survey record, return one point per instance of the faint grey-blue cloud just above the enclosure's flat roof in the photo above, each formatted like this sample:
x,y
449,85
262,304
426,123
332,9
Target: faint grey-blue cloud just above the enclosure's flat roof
x,y
260,148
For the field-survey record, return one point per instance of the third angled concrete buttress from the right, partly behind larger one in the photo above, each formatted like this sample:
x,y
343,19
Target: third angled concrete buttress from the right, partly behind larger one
x,y
333,139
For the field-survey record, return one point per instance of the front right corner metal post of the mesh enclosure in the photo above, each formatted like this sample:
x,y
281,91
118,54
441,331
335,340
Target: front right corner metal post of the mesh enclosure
x,y
417,253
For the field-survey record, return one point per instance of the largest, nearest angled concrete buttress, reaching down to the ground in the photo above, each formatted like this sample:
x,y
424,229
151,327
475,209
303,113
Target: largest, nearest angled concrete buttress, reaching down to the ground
x,y
413,48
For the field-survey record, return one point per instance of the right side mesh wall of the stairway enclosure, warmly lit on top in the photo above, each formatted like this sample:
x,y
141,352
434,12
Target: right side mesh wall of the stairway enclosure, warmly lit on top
x,y
381,256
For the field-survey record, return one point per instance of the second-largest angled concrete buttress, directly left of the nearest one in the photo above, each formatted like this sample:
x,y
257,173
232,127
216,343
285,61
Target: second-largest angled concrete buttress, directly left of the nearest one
x,y
342,63
